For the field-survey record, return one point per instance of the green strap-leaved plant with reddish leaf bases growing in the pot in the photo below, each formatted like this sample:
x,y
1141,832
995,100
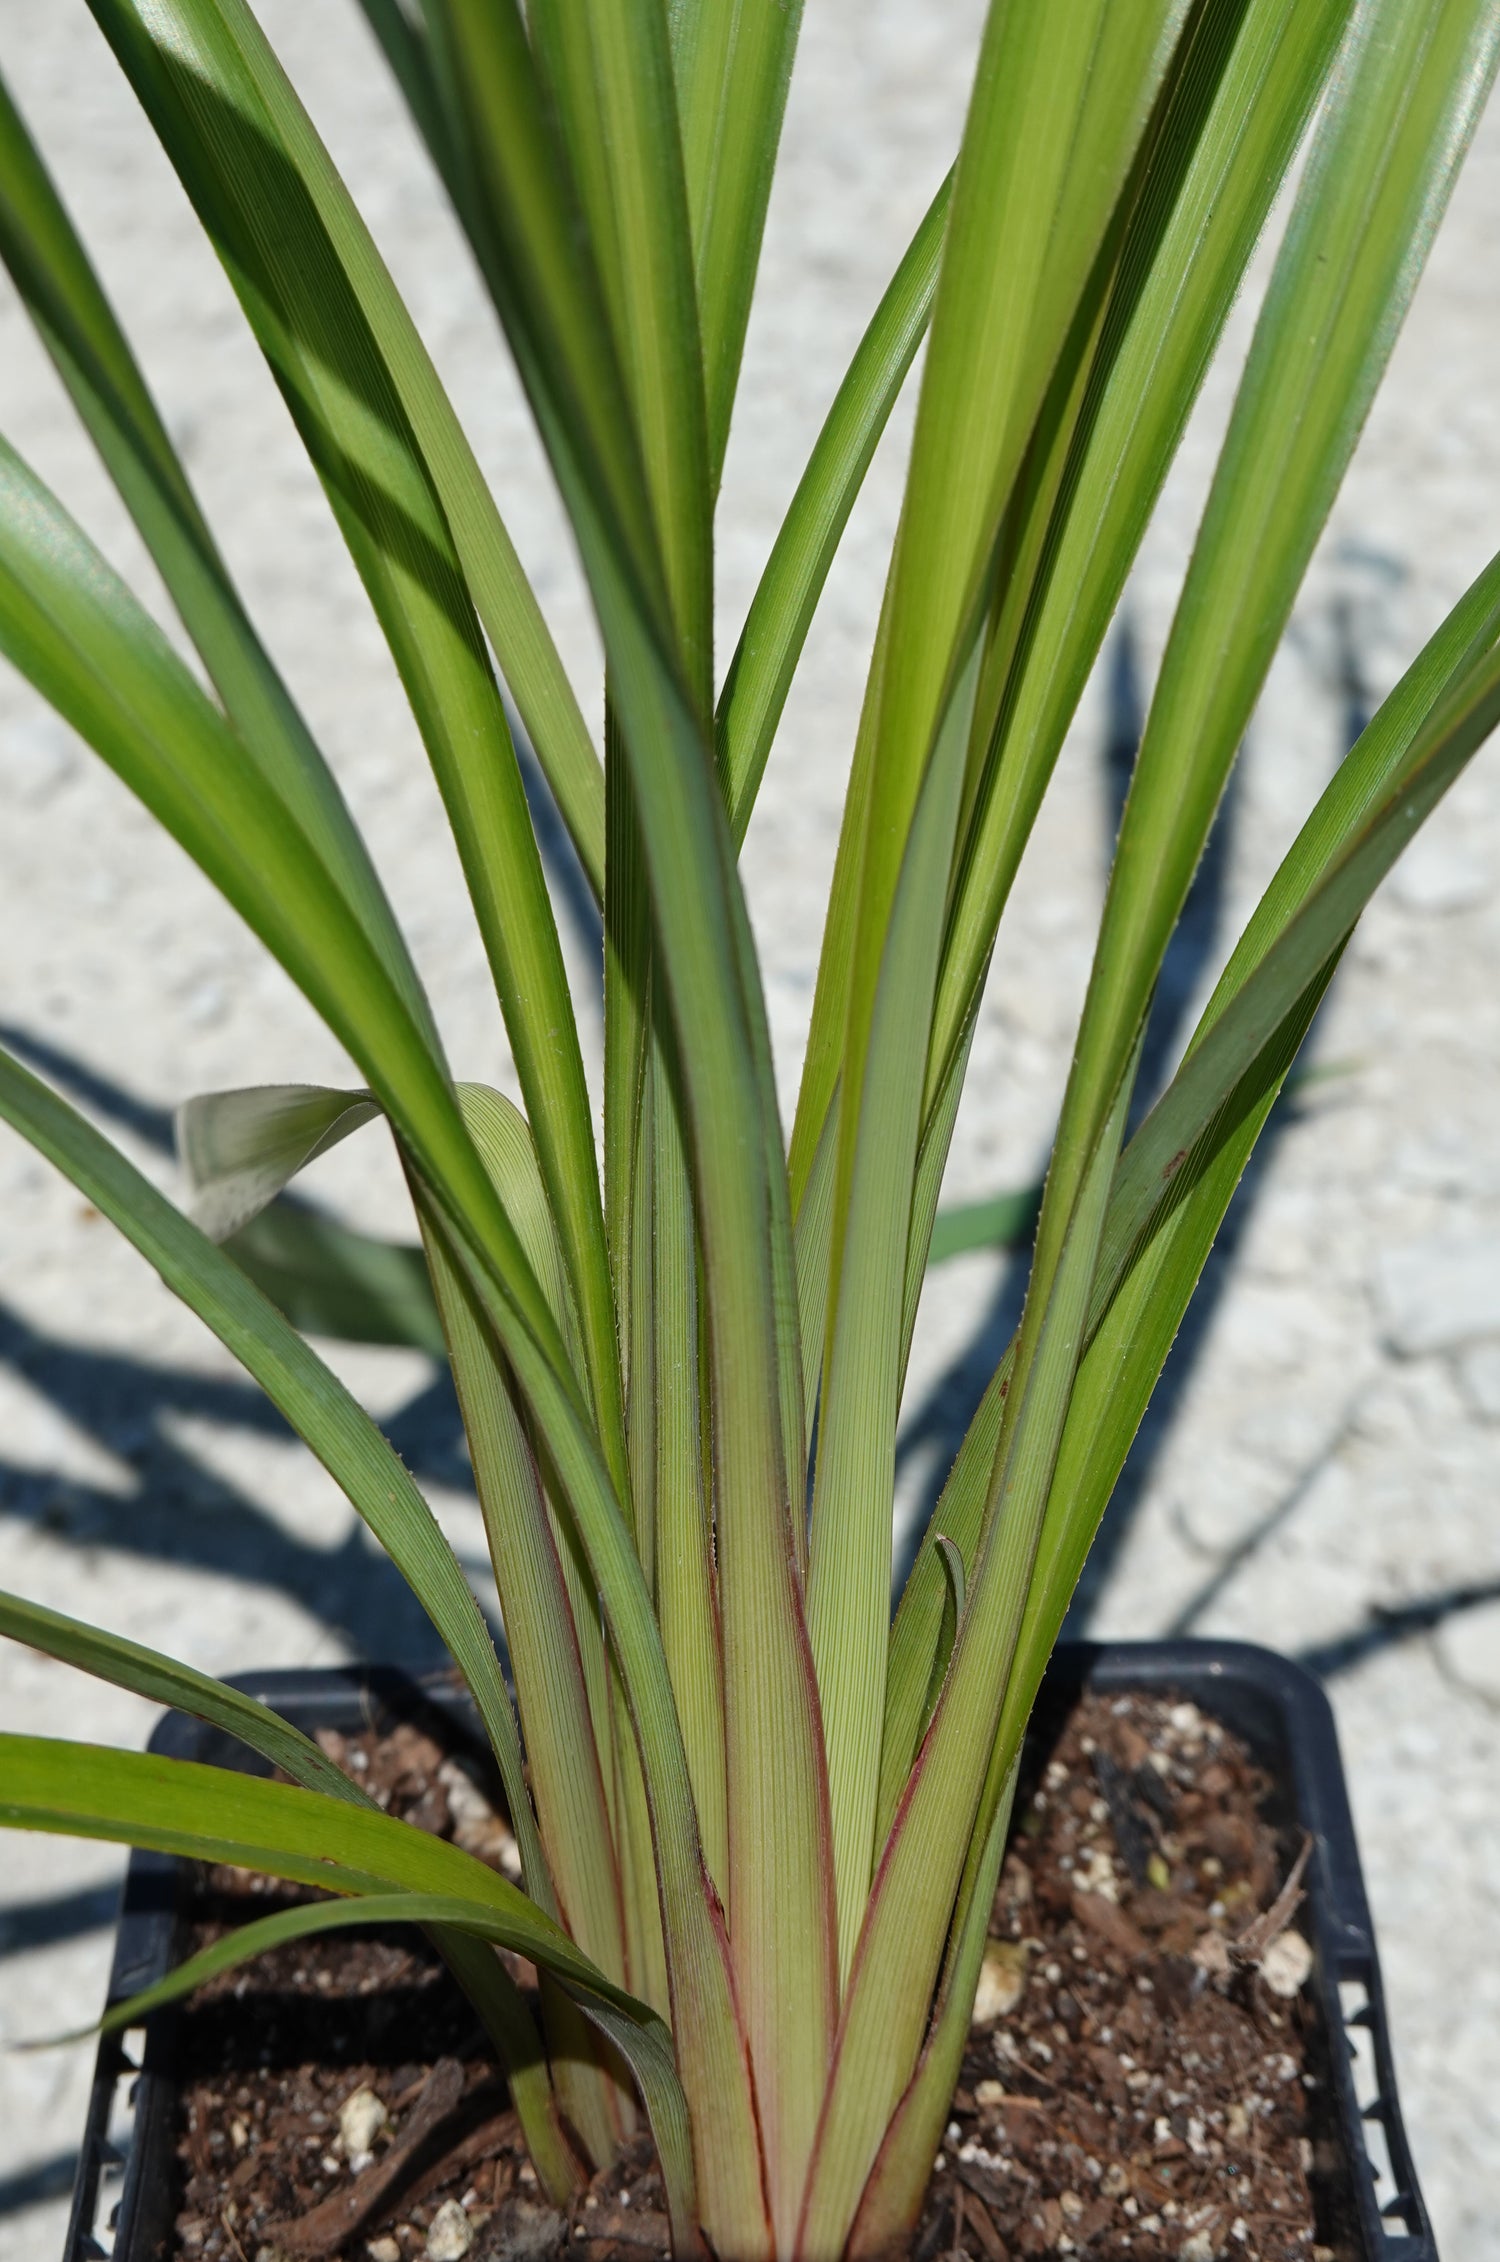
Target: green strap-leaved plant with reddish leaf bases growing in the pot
x,y
759,1820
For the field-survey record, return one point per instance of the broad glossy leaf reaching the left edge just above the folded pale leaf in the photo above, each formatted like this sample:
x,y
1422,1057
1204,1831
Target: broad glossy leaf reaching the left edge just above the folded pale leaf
x,y
83,639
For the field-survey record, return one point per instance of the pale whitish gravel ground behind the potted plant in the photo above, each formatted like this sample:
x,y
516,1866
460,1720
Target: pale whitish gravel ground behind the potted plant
x,y
1320,1471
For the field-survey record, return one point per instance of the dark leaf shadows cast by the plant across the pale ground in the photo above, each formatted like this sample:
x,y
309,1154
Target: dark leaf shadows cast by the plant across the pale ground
x,y
184,1514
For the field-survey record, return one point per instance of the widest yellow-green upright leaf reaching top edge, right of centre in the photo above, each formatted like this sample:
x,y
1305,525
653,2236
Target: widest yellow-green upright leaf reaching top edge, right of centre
x,y
1024,234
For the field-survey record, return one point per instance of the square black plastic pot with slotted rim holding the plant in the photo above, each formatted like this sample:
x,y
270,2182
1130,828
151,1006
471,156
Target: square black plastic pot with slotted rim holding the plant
x,y
123,2198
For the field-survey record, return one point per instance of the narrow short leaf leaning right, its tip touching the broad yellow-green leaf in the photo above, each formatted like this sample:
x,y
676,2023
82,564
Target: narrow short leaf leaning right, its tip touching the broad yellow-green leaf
x,y
793,582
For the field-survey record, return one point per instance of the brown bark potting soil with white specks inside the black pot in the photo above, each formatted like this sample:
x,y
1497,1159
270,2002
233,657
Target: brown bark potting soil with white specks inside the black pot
x,y
1144,2080
